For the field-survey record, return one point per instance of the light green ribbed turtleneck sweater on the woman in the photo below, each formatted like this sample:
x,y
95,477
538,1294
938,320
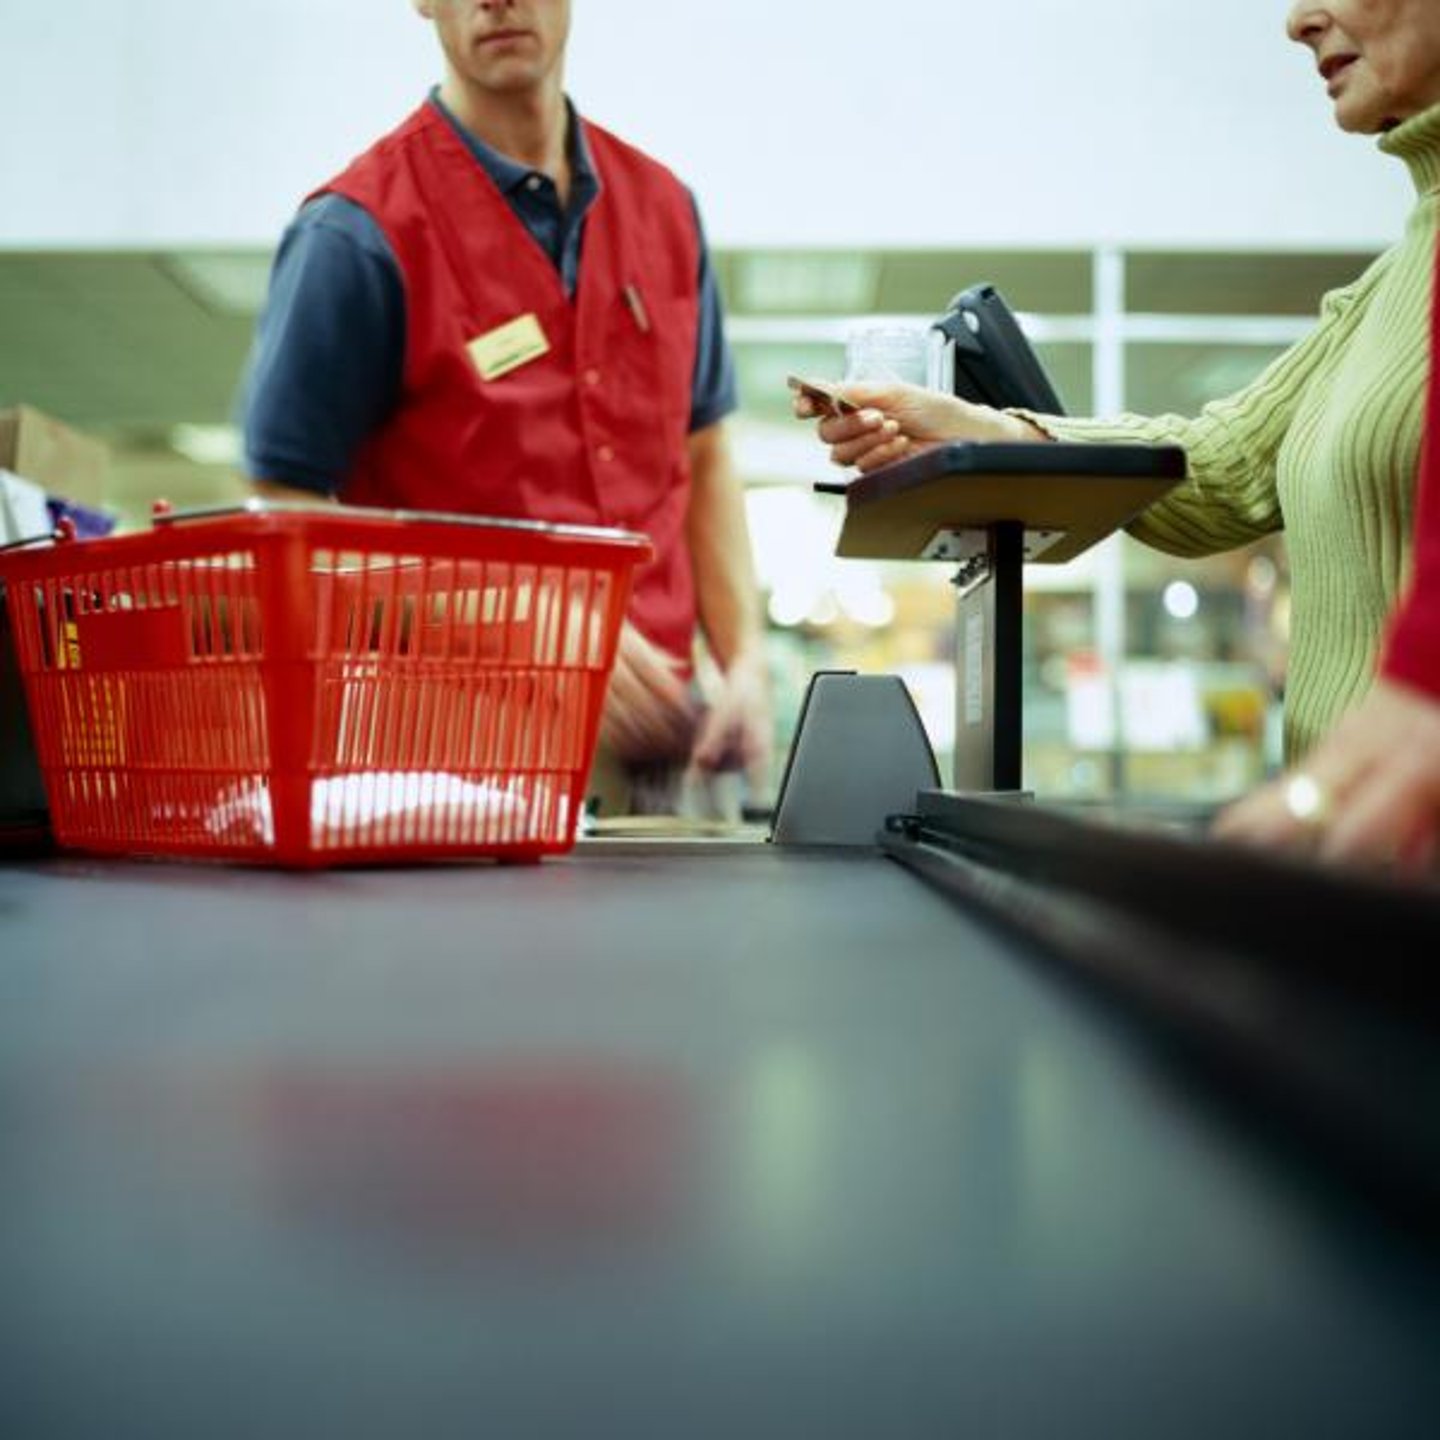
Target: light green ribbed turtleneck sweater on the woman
x,y
1326,446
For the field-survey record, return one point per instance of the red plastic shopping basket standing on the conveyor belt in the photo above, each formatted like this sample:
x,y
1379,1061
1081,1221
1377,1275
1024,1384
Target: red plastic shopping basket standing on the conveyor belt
x,y
318,688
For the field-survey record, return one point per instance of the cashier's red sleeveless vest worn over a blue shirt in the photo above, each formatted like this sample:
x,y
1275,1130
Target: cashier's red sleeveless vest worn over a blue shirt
x,y
594,433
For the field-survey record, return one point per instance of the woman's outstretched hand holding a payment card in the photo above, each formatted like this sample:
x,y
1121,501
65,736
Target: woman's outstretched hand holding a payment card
x,y
901,420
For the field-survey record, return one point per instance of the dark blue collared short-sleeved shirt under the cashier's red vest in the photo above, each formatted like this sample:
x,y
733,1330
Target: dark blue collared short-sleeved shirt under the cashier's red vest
x,y
329,355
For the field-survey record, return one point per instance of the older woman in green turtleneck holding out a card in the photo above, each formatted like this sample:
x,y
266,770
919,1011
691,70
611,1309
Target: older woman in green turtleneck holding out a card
x,y
1326,444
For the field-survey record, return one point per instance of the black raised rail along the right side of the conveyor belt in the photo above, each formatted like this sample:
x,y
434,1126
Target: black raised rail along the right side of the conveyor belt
x,y
1334,1039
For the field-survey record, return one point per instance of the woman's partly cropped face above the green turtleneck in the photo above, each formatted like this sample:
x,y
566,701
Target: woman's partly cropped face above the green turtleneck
x,y
1380,60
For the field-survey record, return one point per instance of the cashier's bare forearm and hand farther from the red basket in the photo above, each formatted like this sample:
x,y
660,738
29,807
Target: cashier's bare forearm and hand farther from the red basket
x,y
737,732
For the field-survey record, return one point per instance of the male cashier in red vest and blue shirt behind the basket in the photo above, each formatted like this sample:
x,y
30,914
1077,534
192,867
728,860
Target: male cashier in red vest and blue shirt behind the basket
x,y
502,309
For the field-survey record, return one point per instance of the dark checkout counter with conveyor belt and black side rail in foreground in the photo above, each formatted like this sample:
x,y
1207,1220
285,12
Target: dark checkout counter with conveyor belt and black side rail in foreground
x,y
990,1121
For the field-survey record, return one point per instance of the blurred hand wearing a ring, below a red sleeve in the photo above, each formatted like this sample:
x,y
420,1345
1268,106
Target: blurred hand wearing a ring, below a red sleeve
x,y
1370,793
